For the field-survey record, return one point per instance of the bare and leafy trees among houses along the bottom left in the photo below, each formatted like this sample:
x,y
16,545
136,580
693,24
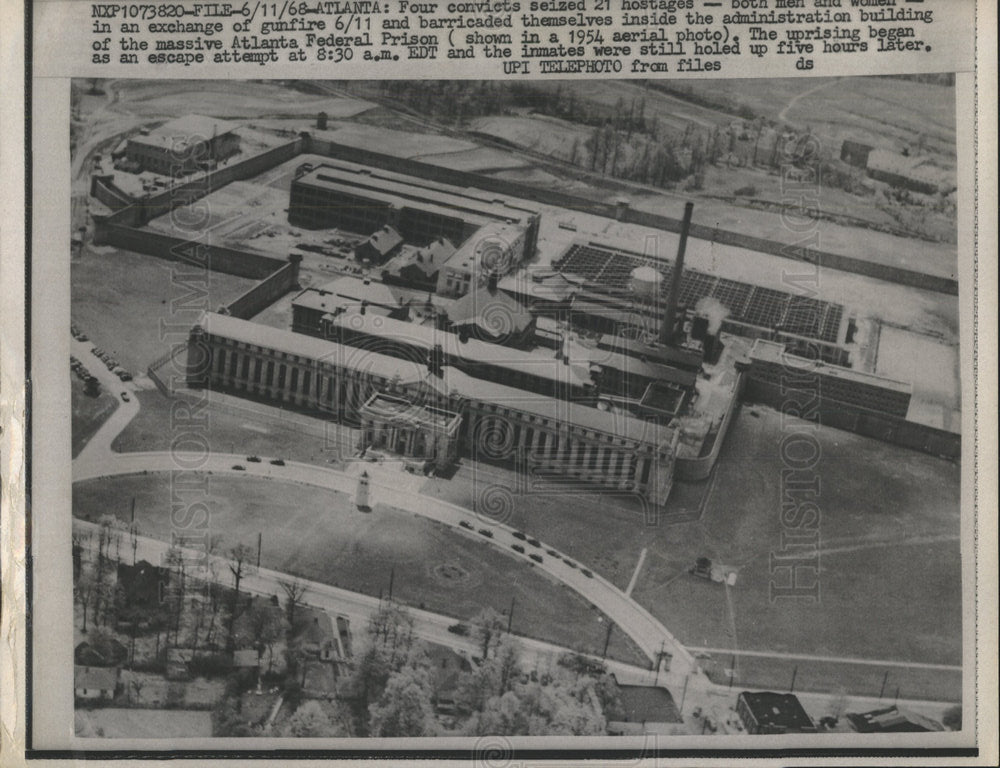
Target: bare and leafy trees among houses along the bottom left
x,y
389,688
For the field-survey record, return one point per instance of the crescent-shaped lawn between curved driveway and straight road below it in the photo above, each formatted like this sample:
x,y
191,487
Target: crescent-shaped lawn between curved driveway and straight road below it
x,y
318,535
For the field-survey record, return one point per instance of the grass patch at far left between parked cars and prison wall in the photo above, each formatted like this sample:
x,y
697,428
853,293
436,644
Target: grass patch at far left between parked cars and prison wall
x,y
120,299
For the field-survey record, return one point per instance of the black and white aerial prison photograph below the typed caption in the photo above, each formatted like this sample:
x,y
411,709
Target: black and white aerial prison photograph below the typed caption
x,y
498,409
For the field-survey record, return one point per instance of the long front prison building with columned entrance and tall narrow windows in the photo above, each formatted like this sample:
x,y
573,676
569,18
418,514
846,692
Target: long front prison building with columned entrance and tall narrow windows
x,y
422,409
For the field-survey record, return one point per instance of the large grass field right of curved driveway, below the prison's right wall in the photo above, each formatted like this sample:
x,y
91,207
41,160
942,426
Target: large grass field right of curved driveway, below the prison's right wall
x,y
888,532
